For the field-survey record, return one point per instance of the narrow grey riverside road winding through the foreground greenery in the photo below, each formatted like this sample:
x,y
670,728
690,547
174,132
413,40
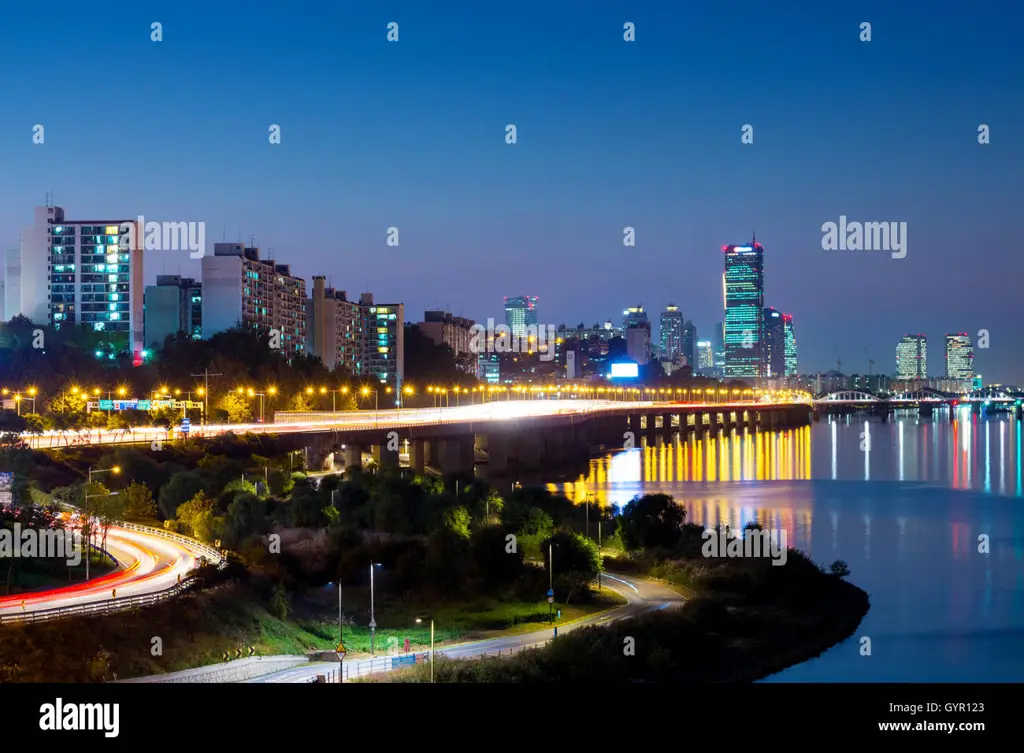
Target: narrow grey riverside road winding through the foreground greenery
x,y
642,596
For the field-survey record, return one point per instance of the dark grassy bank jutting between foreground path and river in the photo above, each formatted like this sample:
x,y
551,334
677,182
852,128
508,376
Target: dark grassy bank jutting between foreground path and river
x,y
745,621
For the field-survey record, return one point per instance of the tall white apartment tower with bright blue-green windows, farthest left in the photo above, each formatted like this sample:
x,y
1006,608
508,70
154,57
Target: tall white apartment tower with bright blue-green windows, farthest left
x,y
73,273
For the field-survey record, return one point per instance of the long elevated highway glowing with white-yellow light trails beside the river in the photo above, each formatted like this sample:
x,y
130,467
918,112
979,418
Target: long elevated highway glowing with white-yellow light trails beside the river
x,y
357,421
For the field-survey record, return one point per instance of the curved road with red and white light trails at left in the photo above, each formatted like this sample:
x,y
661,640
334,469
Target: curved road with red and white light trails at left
x,y
147,564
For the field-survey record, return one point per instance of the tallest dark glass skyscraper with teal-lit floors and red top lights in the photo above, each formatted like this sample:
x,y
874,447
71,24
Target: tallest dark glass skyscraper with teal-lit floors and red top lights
x,y
745,343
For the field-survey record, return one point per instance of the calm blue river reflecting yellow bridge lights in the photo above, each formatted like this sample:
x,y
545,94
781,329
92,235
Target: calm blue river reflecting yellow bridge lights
x,y
906,504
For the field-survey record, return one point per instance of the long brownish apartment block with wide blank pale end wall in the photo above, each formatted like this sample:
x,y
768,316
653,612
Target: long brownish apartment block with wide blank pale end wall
x,y
240,288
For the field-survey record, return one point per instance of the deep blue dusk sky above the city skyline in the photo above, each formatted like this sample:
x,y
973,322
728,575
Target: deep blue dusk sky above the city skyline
x,y
610,135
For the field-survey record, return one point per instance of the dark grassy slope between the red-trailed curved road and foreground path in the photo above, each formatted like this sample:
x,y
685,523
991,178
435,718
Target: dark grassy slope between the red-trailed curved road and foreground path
x,y
197,630
